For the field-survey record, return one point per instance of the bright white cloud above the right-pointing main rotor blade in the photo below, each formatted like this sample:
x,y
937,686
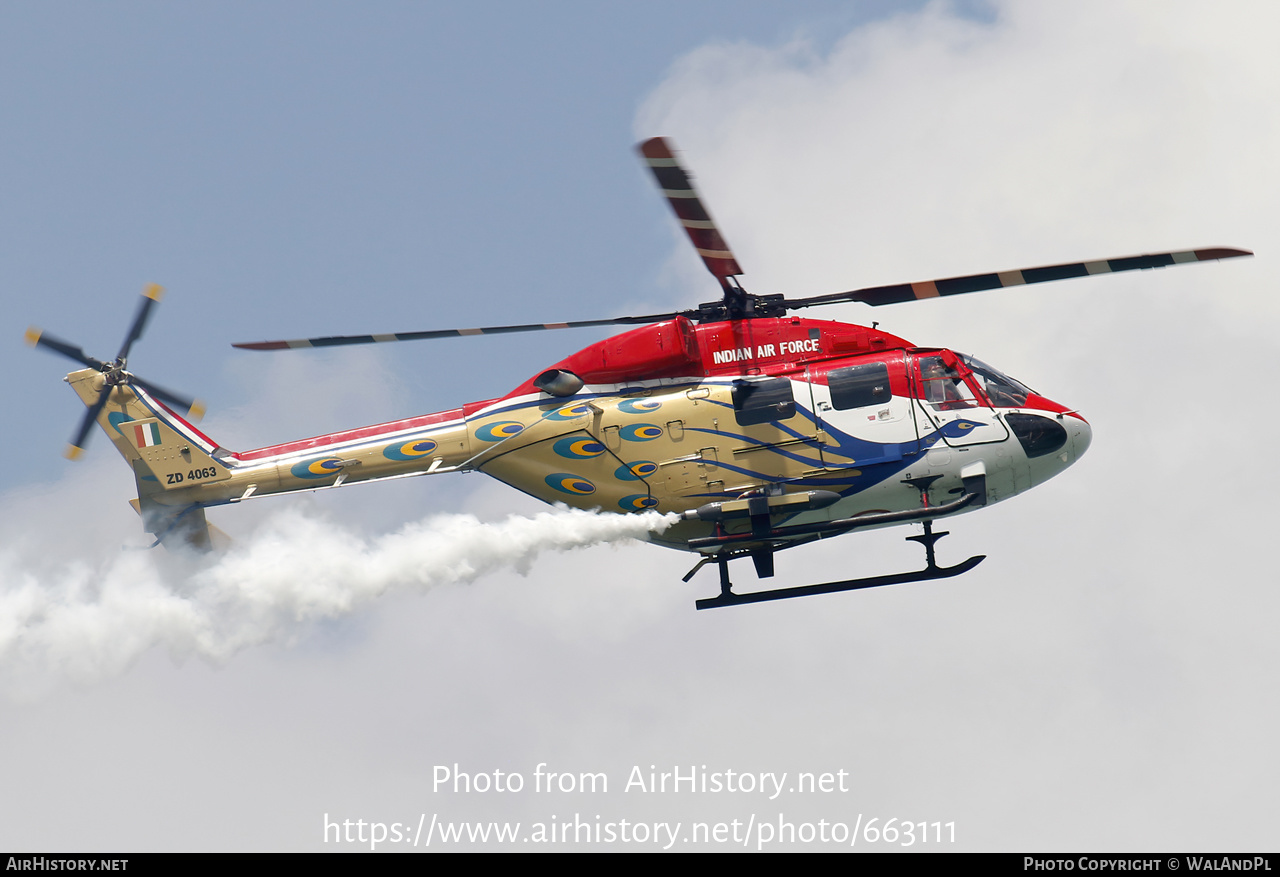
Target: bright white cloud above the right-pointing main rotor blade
x,y
932,144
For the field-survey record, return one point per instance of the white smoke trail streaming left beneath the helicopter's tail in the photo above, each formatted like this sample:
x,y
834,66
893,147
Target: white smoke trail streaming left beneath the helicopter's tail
x,y
84,622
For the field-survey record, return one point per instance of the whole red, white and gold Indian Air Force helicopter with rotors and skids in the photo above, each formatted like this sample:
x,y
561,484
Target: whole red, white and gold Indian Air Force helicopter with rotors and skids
x,y
761,430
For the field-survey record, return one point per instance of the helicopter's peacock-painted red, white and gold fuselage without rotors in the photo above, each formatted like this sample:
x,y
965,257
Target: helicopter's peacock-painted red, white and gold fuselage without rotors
x,y
673,417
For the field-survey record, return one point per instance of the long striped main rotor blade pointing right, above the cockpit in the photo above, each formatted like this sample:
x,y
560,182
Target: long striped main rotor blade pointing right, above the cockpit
x,y
954,286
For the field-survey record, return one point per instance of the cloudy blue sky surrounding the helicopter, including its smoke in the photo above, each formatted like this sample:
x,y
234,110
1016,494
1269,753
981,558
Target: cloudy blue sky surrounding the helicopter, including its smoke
x,y
1104,682
